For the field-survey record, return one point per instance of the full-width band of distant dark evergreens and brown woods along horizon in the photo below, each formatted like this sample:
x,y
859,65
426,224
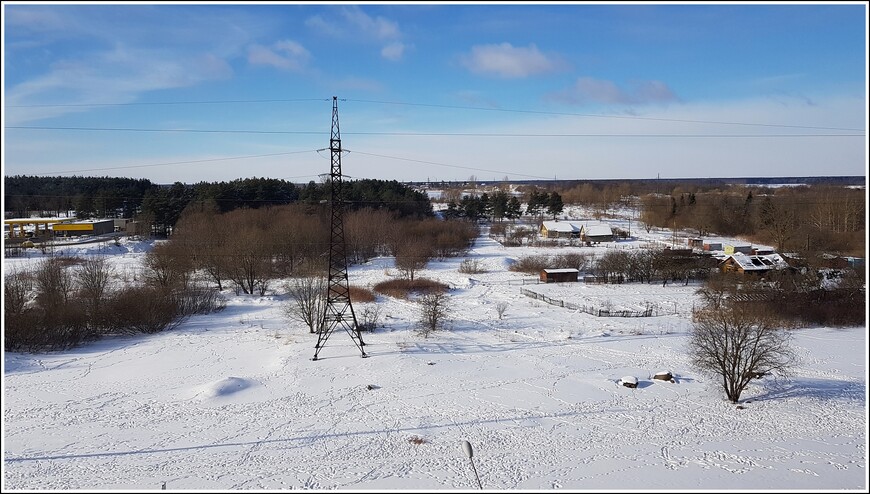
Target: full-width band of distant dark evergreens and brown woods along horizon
x,y
807,214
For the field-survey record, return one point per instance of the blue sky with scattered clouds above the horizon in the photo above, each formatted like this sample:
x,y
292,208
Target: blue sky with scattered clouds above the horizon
x,y
212,92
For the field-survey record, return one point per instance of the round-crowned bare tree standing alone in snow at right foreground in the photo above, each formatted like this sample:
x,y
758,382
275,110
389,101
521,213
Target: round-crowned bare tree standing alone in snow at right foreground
x,y
737,344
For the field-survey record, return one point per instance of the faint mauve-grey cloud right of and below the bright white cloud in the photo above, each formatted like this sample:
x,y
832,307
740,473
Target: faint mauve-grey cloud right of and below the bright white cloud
x,y
590,90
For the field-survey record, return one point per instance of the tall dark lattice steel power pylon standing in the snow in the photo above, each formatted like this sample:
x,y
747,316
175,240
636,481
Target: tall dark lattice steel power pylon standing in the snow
x,y
339,311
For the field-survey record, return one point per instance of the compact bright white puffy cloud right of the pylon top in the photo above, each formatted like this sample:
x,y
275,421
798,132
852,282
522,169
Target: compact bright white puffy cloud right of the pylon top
x,y
508,61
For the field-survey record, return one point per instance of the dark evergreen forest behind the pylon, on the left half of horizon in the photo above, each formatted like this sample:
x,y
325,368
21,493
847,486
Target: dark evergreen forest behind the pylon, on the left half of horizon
x,y
107,197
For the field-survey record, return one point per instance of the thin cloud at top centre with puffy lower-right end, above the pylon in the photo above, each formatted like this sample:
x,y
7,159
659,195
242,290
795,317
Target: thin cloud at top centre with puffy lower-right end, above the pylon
x,y
352,21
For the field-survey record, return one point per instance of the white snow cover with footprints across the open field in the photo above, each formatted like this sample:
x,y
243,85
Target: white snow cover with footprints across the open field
x,y
233,401
